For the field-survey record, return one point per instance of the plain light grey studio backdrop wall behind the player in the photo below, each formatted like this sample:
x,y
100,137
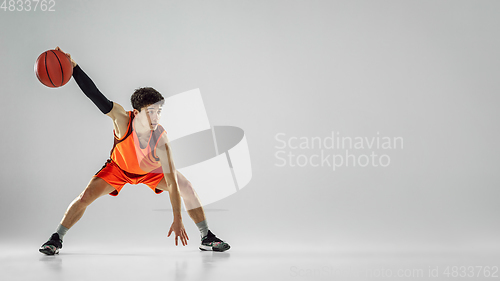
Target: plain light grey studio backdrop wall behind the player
x,y
425,71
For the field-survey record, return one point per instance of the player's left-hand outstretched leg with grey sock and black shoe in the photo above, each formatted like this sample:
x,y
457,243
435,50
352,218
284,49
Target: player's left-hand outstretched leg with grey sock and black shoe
x,y
96,188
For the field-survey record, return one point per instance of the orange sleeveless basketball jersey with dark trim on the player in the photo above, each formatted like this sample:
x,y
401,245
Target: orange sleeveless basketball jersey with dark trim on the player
x,y
128,154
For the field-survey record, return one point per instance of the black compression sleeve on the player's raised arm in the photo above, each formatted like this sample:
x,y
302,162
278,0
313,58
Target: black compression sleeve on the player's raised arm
x,y
90,90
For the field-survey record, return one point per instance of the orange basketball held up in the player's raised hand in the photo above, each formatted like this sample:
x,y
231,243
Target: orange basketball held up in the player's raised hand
x,y
53,68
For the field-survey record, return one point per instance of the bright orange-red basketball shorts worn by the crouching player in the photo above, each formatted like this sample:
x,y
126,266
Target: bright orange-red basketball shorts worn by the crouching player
x,y
117,178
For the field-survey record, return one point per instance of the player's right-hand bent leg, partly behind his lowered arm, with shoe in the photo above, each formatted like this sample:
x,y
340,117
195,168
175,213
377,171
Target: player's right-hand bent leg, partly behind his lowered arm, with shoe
x,y
209,242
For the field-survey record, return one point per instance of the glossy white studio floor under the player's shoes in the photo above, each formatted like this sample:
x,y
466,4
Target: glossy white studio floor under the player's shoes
x,y
120,261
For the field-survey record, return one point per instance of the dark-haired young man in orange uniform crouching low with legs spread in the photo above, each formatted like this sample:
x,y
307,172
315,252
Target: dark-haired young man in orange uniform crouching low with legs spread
x,y
141,154
